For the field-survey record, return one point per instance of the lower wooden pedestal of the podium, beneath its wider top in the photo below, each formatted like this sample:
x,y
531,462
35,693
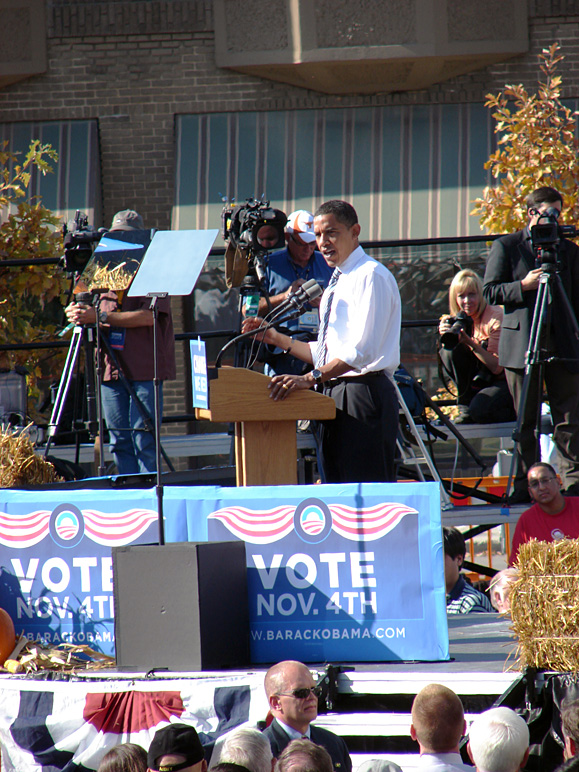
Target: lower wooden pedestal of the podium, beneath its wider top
x,y
266,453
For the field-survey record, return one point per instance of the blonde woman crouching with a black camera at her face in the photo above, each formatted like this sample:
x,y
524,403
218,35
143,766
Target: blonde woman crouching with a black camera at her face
x,y
469,344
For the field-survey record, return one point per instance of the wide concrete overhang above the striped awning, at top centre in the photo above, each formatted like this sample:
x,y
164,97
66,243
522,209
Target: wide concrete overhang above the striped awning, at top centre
x,y
367,47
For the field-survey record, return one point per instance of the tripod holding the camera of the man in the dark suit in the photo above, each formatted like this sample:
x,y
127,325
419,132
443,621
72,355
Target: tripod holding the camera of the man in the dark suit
x,y
550,293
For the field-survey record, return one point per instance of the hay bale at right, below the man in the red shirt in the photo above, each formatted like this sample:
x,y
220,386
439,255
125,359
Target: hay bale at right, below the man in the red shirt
x,y
545,605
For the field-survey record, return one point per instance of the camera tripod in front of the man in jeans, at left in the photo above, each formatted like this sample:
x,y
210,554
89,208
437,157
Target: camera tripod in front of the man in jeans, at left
x,y
87,337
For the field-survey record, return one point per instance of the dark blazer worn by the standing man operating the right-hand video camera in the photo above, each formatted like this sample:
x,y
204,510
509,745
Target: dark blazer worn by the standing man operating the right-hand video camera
x,y
510,260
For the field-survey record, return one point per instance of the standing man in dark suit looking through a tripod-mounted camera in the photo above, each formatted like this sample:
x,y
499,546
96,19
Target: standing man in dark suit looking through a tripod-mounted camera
x,y
511,280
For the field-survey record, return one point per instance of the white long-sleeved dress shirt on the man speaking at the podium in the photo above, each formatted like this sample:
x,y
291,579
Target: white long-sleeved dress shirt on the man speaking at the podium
x,y
364,326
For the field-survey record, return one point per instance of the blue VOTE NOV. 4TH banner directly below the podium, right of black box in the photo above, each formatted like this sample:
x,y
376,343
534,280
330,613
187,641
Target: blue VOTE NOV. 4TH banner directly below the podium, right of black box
x,y
347,572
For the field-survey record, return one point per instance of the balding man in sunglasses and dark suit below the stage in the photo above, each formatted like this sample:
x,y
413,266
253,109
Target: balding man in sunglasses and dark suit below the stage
x,y
293,702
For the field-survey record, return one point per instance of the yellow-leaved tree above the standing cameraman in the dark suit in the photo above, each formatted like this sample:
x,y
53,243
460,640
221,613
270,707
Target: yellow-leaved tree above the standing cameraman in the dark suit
x,y
536,147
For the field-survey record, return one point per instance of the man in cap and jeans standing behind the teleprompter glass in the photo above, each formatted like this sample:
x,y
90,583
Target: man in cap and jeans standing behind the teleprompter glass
x,y
128,324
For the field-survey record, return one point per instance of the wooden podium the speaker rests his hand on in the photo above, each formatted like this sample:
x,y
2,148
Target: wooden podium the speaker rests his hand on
x,y
265,431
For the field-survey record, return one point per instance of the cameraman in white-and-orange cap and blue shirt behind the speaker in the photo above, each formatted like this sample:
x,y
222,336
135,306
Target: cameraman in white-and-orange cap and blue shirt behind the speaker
x,y
286,271
